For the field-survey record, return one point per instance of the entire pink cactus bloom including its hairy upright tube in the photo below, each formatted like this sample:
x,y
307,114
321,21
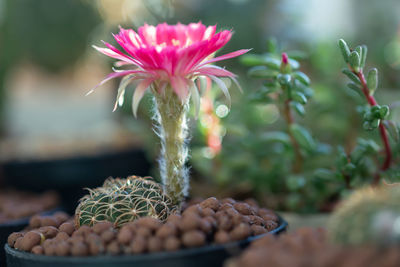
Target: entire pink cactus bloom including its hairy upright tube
x,y
172,61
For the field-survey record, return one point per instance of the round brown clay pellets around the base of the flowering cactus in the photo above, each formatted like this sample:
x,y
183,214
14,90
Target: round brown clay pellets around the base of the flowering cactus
x,y
209,221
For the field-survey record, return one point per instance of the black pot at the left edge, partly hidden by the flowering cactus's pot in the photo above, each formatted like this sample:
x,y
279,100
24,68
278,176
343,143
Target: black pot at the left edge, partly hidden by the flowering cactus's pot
x,y
14,226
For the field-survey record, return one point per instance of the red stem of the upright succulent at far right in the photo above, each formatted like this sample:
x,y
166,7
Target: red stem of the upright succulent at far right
x,y
372,102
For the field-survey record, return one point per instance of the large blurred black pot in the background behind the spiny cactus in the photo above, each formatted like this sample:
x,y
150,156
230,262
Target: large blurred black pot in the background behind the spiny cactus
x,y
68,176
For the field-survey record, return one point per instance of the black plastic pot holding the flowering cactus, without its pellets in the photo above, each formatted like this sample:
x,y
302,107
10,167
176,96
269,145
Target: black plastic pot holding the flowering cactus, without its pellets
x,y
207,256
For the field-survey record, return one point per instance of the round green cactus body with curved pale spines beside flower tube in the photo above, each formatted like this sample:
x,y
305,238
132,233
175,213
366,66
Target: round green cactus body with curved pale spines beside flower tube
x,y
123,200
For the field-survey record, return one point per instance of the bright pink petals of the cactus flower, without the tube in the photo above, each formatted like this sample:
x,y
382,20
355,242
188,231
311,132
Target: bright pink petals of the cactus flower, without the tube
x,y
169,56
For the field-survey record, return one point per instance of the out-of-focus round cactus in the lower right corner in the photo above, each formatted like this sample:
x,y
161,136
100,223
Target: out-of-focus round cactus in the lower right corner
x,y
368,216
